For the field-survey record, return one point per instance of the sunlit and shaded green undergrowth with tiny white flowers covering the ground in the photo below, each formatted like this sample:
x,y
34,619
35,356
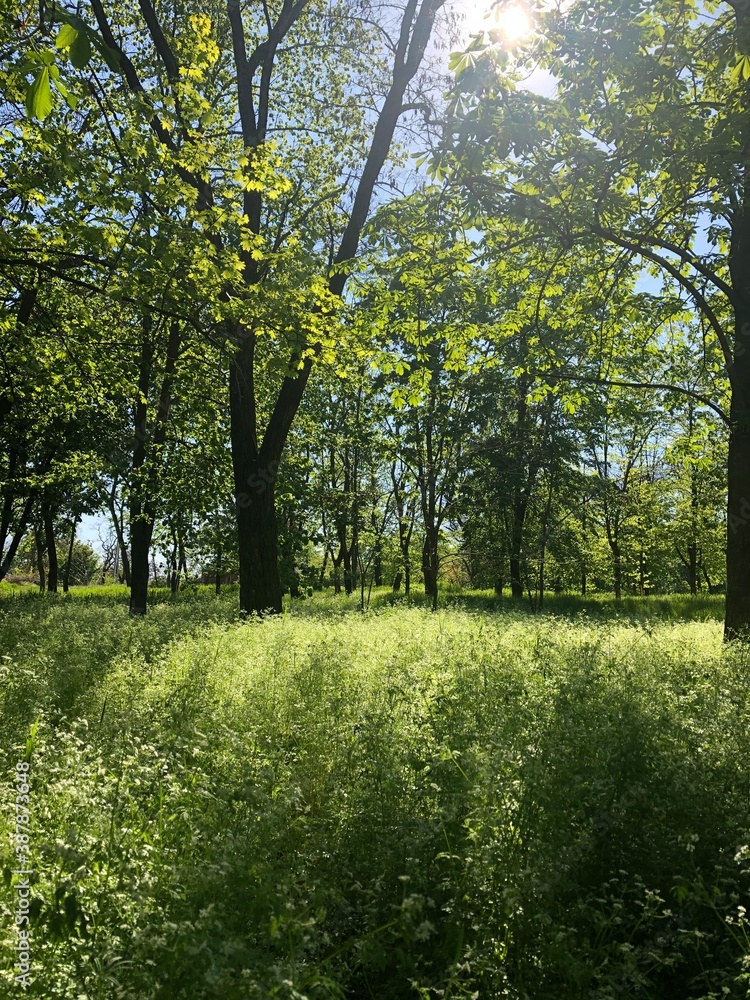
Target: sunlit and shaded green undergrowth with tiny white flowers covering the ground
x,y
478,802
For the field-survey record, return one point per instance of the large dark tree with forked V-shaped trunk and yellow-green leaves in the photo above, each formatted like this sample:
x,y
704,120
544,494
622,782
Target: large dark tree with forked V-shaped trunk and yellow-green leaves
x,y
257,248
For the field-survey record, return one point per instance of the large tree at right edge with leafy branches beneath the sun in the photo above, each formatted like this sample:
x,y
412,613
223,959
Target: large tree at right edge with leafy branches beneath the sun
x,y
644,147
